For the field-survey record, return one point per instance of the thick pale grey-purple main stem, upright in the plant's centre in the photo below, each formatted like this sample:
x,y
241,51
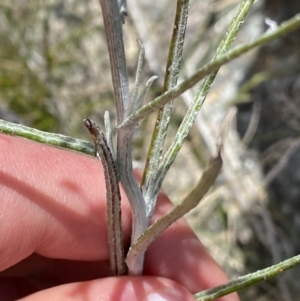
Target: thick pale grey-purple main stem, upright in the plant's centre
x,y
115,45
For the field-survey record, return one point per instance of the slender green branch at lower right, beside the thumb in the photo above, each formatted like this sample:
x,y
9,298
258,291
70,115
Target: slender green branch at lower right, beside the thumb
x,y
248,280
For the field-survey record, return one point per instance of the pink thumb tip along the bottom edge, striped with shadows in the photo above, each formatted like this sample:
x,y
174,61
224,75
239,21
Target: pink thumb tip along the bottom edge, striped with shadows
x,y
142,288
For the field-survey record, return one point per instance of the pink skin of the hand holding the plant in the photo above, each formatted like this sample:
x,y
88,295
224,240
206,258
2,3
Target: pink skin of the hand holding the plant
x,y
53,234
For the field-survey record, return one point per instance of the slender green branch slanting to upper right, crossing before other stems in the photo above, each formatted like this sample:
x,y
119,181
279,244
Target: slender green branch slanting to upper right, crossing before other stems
x,y
282,30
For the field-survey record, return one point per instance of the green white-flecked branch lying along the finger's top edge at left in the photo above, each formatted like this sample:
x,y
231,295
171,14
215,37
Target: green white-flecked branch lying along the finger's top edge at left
x,y
47,138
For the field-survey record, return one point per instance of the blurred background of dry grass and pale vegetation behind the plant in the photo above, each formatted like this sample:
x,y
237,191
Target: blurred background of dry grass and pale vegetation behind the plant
x,y
54,71
